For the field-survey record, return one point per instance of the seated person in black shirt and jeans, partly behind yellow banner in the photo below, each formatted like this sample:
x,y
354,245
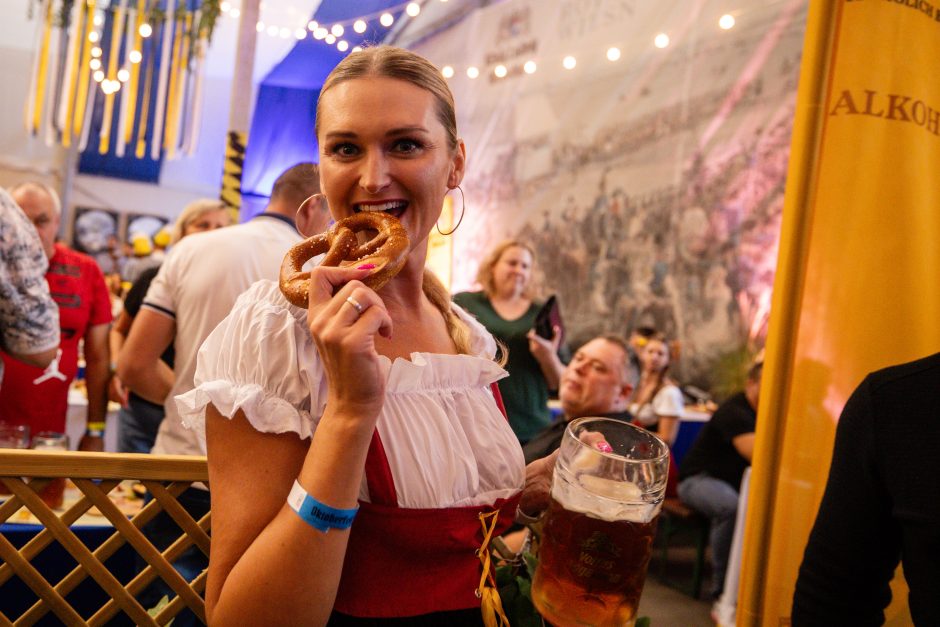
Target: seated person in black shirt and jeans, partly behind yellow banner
x,y
710,475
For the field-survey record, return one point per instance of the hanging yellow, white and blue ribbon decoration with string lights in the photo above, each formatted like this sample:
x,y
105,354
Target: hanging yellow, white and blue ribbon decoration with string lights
x,y
151,69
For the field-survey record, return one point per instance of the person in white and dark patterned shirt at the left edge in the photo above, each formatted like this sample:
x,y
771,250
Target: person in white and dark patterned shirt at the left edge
x,y
29,318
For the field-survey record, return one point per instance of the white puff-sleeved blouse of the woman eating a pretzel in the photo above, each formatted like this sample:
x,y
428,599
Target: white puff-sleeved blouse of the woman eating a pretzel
x,y
447,443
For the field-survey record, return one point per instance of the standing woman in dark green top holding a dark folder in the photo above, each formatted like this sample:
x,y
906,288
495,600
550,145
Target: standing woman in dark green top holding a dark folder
x,y
507,308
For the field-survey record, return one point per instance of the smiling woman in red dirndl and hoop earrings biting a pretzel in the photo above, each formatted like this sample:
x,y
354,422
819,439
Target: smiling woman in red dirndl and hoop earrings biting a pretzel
x,y
358,459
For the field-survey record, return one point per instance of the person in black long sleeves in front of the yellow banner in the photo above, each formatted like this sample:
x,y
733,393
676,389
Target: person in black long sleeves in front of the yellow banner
x,y
881,505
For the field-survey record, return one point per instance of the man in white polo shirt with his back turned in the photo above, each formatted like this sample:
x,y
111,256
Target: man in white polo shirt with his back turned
x,y
194,290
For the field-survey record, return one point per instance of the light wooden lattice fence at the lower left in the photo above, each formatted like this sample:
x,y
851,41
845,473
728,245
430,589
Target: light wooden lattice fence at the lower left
x,y
26,472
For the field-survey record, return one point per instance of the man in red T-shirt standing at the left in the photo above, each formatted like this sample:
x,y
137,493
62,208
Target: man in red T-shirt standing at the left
x,y
39,397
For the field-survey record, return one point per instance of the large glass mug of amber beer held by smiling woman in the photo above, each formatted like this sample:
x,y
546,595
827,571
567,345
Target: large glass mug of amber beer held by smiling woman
x,y
608,487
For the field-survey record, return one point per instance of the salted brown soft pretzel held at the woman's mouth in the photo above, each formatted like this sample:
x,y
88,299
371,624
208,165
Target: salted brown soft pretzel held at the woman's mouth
x,y
387,251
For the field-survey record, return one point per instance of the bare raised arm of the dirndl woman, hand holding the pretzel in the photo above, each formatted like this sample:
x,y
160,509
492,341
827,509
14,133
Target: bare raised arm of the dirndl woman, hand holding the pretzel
x,y
268,565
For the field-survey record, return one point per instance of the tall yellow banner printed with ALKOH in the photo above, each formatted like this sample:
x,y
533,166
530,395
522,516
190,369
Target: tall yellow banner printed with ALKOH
x,y
859,263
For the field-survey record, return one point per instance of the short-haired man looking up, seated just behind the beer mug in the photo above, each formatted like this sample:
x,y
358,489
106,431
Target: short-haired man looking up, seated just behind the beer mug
x,y
598,381
